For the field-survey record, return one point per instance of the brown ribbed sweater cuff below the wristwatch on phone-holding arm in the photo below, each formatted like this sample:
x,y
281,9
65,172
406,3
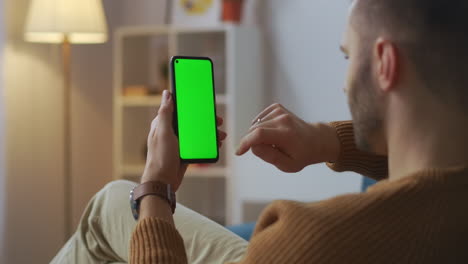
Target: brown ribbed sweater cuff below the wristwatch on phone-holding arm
x,y
157,242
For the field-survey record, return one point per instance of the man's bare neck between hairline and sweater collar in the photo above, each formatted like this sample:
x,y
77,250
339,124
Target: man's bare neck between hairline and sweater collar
x,y
436,140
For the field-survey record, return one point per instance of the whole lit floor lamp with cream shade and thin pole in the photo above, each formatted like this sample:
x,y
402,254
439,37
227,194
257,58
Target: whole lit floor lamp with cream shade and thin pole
x,y
66,22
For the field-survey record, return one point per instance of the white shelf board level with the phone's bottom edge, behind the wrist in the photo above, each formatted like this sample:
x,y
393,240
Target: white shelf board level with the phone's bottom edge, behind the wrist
x,y
208,172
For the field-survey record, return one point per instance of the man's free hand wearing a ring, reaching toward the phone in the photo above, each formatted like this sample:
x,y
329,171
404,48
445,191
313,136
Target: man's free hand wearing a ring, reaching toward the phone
x,y
281,138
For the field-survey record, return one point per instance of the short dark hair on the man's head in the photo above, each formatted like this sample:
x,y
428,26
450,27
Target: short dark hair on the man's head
x,y
433,34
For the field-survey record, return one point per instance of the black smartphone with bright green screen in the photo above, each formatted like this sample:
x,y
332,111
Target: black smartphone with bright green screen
x,y
193,91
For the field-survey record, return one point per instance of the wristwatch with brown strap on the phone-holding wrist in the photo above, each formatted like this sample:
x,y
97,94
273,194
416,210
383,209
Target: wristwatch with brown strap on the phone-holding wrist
x,y
157,188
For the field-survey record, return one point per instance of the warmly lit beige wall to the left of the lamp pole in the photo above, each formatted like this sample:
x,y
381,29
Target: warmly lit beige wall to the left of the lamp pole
x,y
33,186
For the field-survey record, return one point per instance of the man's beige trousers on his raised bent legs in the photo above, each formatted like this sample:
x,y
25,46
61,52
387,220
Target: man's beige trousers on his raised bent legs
x,y
106,226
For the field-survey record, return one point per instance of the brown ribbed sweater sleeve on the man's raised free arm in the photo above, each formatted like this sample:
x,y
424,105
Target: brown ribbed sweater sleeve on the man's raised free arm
x,y
352,159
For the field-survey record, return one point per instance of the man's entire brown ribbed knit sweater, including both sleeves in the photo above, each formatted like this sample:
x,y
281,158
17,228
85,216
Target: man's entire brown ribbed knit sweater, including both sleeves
x,y
422,218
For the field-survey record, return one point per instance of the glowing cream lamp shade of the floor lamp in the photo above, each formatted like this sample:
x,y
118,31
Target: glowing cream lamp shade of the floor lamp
x,y
54,21
